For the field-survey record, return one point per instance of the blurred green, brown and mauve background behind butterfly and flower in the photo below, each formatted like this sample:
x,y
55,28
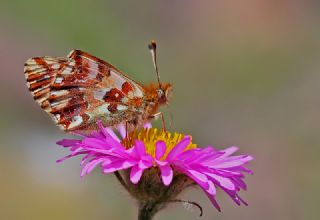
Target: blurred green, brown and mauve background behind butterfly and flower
x,y
245,73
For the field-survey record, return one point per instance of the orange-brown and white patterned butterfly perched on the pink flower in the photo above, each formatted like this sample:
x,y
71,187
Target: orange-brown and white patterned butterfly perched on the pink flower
x,y
80,89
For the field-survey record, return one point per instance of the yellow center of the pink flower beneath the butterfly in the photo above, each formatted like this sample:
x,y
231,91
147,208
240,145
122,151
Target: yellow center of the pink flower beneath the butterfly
x,y
150,137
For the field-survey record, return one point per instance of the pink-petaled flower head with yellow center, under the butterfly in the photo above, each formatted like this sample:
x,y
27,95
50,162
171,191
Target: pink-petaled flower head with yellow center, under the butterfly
x,y
153,158
